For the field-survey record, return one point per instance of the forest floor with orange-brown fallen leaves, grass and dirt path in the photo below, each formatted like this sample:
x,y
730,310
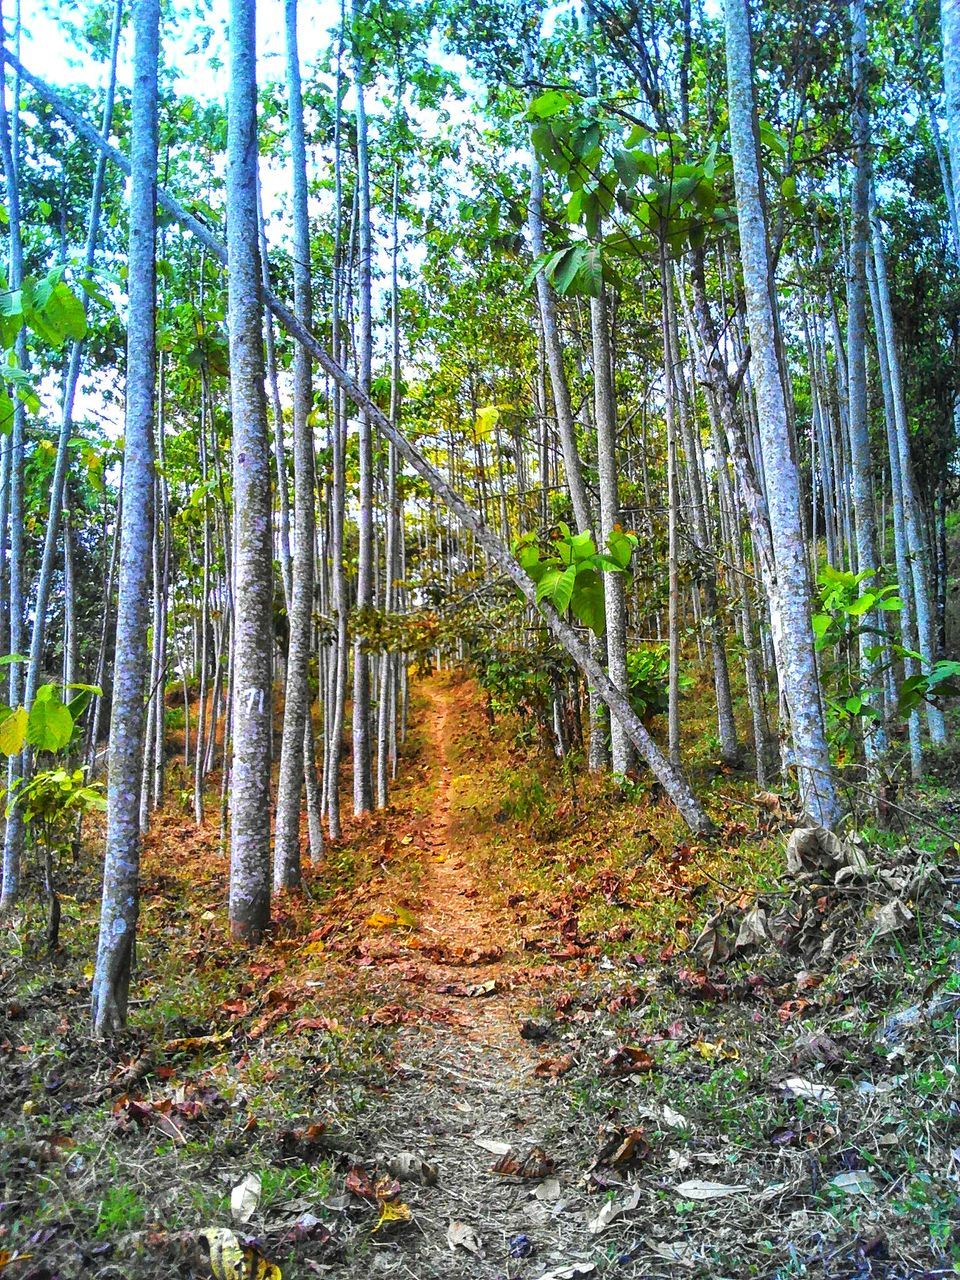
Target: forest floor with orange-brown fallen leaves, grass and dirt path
x,y
505,1031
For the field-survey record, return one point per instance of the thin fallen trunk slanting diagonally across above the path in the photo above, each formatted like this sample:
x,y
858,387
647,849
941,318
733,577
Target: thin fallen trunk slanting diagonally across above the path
x,y
673,780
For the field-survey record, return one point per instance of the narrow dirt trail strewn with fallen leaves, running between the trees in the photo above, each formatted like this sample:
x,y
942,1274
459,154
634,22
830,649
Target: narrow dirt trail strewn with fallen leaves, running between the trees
x,y
464,1078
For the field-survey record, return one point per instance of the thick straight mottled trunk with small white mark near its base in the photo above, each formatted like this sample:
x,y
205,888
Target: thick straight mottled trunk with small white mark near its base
x,y
253,634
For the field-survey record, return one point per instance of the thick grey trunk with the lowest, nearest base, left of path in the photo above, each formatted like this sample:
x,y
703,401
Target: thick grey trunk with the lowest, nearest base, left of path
x,y
121,897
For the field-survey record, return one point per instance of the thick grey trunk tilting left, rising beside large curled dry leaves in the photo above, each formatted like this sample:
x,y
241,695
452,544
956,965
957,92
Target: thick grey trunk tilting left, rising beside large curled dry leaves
x,y
790,604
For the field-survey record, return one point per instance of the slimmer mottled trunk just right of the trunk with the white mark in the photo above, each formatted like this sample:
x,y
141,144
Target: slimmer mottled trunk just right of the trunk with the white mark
x,y
296,710
